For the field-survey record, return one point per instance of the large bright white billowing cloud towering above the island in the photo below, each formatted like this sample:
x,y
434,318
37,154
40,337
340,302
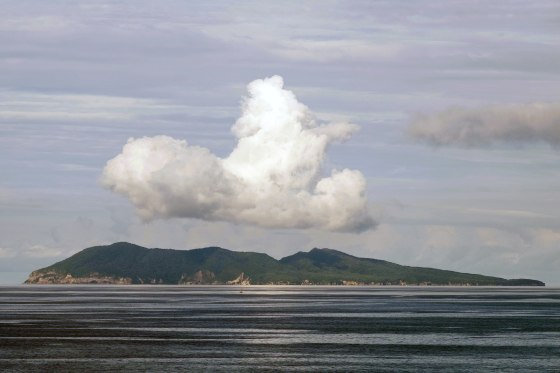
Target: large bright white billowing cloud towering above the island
x,y
272,178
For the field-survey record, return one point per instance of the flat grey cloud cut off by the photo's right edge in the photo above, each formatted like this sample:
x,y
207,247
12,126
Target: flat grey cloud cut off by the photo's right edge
x,y
519,123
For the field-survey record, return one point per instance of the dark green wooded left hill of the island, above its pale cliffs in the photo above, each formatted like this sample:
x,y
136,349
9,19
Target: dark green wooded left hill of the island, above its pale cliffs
x,y
142,265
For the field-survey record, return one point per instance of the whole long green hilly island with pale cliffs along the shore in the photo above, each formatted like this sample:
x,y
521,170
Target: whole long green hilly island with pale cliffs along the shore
x,y
124,263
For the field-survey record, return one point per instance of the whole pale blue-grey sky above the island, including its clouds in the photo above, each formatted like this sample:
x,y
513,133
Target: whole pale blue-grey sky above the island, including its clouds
x,y
423,133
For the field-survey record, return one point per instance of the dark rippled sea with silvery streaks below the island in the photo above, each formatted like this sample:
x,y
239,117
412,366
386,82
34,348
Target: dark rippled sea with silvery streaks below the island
x,y
260,328
